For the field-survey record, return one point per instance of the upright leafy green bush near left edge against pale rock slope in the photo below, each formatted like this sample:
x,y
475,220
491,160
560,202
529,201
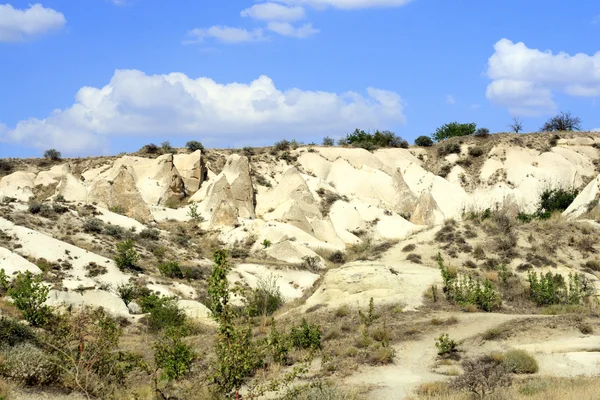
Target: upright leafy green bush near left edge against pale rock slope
x,y
29,293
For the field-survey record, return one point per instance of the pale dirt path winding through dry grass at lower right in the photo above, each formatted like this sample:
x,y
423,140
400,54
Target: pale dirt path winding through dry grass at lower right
x,y
414,359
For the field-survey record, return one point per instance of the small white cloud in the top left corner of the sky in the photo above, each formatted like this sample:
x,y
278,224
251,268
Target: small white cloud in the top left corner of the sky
x,y
18,25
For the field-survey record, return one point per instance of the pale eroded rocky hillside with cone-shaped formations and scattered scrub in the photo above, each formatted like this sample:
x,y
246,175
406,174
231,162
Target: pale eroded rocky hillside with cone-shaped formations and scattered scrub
x,y
333,227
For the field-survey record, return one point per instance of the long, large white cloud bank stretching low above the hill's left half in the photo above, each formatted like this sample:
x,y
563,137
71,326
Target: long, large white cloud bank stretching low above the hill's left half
x,y
135,104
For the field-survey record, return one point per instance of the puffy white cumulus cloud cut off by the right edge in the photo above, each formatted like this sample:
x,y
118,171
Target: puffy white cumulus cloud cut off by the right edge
x,y
524,79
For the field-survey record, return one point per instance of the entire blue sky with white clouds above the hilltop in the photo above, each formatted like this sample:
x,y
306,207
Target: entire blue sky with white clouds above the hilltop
x,y
102,76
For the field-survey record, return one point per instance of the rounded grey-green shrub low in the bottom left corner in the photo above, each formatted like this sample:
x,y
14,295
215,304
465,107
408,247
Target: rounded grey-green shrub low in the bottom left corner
x,y
30,365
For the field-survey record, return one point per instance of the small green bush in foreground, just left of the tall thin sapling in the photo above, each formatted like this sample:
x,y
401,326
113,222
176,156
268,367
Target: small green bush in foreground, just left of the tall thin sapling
x,y
172,355
